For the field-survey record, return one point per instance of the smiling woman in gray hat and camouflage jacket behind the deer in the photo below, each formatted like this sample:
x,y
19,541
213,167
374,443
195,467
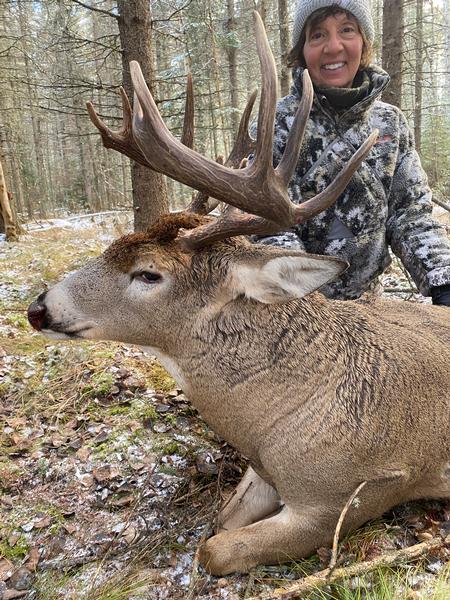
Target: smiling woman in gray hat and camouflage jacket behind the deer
x,y
388,201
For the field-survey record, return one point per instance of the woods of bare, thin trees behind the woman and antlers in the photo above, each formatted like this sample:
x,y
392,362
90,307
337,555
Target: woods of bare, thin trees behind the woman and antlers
x,y
57,54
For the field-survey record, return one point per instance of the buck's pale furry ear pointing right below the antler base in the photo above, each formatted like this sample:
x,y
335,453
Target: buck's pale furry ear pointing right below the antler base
x,y
282,278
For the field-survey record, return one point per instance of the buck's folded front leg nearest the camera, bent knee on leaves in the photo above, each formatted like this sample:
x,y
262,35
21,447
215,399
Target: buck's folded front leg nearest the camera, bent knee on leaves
x,y
283,537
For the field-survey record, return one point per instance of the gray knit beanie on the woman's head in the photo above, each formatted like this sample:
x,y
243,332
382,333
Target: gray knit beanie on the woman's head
x,y
359,9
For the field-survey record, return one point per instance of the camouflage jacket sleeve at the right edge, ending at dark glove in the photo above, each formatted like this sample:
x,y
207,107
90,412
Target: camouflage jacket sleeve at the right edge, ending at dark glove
x,y
415,237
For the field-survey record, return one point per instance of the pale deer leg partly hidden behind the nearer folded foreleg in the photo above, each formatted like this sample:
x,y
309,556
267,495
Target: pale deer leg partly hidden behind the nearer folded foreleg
x,y
252,500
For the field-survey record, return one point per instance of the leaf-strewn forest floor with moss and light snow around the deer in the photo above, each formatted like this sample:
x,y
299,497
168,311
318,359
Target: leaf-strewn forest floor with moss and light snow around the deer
x,y
109,479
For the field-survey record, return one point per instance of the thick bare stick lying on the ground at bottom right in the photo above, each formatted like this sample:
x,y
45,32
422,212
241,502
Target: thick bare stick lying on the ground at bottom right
x,y
321,578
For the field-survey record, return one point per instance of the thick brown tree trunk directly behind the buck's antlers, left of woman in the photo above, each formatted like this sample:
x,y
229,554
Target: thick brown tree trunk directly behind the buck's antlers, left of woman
x,y
149,188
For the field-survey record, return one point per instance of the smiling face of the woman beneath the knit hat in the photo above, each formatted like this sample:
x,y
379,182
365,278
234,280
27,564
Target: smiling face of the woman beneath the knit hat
x,y
333,50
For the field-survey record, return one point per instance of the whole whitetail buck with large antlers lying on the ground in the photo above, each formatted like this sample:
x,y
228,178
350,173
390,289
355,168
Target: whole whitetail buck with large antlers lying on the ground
x,y
320,395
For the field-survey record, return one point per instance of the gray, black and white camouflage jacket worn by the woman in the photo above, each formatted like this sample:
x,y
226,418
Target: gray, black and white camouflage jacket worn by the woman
x,y
387,202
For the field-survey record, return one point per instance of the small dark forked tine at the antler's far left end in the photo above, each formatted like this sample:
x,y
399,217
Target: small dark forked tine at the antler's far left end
x,y
121,140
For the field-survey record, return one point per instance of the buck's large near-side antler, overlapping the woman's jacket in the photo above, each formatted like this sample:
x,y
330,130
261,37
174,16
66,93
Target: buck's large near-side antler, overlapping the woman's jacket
x,y
259,188
